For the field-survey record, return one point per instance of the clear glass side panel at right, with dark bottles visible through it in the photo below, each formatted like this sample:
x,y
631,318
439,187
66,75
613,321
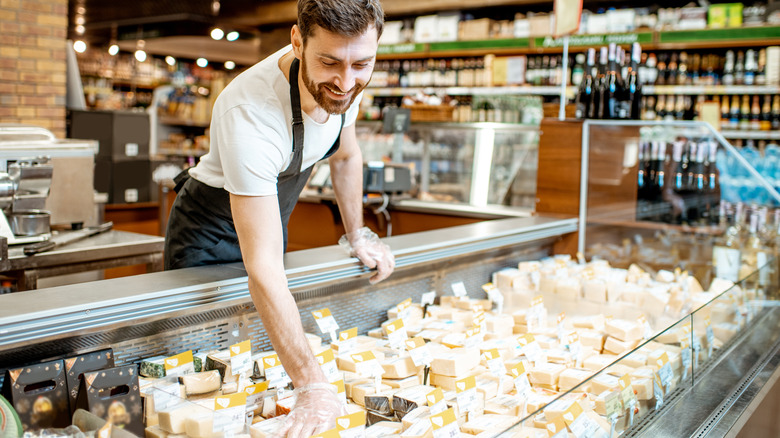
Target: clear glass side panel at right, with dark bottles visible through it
x,y
677,197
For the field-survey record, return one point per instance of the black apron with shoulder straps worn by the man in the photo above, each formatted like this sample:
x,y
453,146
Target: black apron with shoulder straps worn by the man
x,y
200,227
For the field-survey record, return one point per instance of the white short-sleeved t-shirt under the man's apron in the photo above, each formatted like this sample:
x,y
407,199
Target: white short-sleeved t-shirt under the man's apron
x,y
251,132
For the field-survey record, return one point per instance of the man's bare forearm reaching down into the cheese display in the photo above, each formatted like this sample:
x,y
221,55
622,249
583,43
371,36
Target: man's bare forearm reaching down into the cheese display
x,y
282,322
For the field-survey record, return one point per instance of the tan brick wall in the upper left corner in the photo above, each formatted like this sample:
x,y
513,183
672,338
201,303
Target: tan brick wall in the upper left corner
x,y
32,62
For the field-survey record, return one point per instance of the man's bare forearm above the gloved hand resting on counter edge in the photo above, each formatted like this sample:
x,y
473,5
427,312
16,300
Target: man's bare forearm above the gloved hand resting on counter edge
x,y
347,179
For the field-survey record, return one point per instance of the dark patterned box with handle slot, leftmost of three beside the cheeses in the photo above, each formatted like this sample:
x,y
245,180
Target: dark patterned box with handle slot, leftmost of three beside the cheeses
x,y
39,394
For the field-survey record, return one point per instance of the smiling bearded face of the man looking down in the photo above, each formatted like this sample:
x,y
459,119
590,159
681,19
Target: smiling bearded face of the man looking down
x,y
335,68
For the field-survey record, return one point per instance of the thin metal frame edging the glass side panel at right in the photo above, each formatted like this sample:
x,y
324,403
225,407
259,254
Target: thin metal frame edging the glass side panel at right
x,y
691,126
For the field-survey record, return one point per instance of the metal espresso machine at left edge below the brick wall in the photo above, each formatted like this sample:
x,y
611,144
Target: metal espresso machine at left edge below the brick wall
x,y
44,182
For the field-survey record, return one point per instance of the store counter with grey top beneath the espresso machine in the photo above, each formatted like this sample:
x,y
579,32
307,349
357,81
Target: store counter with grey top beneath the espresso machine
x,y
111,249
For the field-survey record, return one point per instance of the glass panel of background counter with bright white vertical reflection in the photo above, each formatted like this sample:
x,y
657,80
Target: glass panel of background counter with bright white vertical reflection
x,y
464,163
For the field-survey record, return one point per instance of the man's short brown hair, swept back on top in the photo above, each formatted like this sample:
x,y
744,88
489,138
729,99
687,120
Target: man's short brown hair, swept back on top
x,y
344,17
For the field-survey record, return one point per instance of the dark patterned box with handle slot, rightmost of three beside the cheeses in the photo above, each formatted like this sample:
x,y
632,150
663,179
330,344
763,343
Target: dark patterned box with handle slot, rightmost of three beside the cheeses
x,y
113,395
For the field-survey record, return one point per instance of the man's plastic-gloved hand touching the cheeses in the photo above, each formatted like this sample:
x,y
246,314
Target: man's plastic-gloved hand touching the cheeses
x,y
316,408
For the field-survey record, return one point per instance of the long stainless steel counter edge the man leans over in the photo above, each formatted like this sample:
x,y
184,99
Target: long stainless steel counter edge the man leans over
x,y
49,313
